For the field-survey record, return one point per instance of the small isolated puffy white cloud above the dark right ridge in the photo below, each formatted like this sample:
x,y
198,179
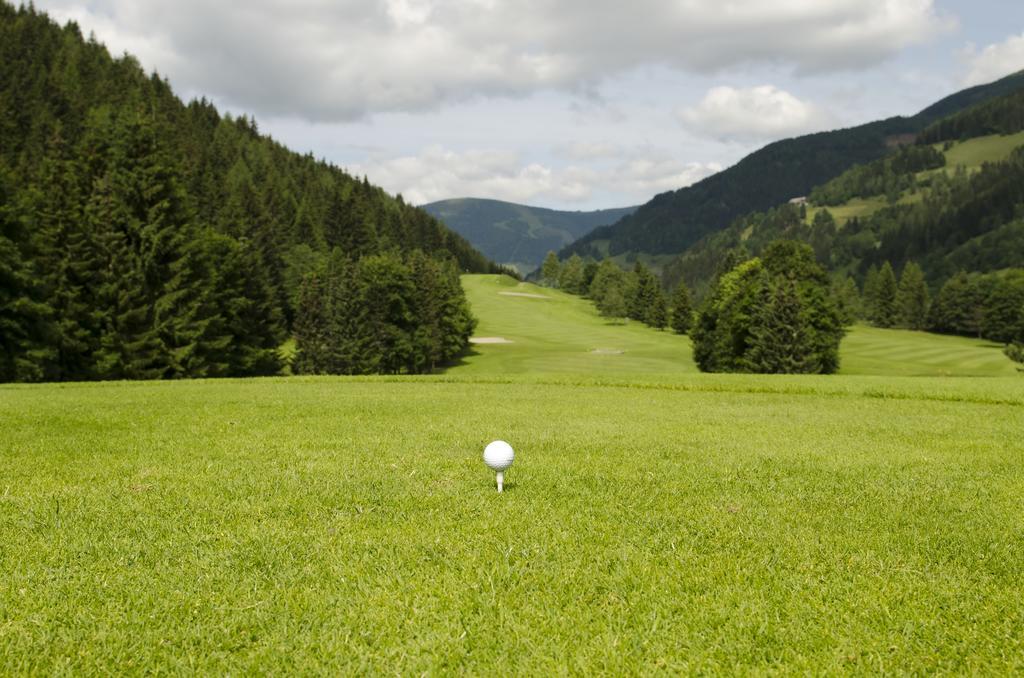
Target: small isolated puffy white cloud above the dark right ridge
x,y
753,114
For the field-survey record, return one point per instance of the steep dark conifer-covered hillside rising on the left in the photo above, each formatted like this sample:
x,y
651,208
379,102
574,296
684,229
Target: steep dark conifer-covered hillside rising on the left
x,y
142,237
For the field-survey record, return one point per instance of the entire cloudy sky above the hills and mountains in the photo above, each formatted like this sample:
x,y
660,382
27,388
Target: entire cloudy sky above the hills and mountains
x,y
566,104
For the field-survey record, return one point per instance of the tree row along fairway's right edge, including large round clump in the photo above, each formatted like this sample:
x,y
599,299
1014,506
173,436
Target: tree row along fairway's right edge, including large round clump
x,y
769,315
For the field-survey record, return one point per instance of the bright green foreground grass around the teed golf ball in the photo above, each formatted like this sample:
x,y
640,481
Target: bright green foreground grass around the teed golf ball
x,y
715,525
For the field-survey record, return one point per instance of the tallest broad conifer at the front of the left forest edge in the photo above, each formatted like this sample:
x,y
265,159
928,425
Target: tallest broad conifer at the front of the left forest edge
x,y
151,293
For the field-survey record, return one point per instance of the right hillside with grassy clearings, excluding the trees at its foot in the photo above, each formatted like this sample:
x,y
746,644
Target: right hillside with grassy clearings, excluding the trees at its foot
x,y
954,201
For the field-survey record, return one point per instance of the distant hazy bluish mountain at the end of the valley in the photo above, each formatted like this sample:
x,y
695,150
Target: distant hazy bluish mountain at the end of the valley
x,y
518,235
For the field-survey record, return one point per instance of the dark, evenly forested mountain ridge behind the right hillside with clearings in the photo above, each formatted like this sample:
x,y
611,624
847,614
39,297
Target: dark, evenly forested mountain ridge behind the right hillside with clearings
x,y
784,171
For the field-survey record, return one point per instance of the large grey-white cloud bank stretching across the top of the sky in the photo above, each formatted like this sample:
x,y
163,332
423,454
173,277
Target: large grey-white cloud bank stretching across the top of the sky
x,y
340,60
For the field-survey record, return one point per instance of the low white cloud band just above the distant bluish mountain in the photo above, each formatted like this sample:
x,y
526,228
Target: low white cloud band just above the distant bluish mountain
x,y
438,174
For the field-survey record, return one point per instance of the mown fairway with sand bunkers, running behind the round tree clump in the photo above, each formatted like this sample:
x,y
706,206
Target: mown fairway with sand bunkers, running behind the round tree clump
x,y
559,334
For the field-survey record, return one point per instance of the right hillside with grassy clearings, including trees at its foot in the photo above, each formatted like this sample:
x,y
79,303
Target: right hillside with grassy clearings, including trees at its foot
x,y
929,238
